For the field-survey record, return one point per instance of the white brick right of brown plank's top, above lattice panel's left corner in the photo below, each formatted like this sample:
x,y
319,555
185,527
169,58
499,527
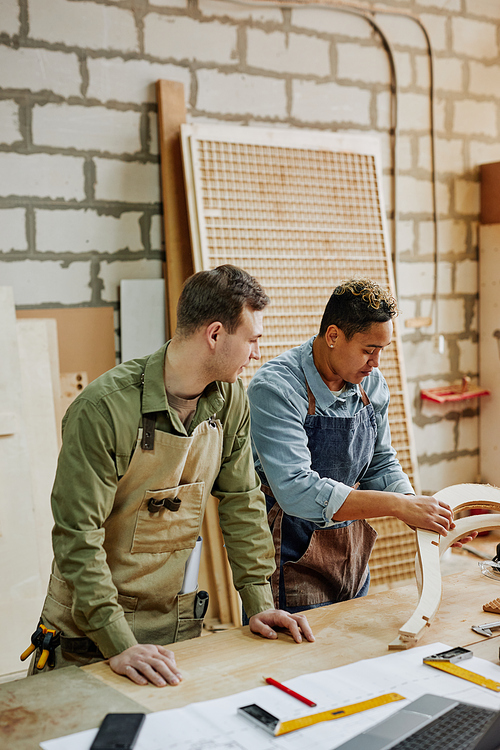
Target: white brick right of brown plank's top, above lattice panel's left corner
x,y
240,94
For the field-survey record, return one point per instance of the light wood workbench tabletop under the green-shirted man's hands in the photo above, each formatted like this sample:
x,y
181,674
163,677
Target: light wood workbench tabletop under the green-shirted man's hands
x,y
236,660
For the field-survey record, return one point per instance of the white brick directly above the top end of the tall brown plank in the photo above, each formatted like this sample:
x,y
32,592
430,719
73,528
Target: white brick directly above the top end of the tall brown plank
x,y
186,39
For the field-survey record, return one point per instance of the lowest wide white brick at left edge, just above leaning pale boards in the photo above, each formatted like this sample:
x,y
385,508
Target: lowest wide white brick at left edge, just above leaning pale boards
x,y
46,282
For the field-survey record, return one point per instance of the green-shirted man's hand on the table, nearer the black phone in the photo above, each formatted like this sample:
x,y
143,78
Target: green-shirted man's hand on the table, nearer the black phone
x,y
146,663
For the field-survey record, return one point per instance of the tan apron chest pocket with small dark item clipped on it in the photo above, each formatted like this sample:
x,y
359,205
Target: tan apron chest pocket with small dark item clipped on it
x,y
169,520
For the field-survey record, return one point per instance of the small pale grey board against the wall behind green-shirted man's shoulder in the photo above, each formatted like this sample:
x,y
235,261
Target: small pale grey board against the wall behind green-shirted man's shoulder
x,y
142,317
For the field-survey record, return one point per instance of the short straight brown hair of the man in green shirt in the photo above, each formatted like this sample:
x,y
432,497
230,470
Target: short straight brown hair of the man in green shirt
x,y
219,294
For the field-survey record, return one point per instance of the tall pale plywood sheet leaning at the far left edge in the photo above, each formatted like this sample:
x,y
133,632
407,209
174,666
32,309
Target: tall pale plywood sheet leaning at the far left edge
x,y
21,589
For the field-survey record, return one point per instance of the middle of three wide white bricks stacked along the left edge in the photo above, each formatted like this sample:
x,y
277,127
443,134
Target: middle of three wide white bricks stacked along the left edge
x,y
41,175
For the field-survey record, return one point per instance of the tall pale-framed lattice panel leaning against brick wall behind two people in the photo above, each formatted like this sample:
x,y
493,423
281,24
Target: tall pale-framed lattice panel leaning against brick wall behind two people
x,y
301,211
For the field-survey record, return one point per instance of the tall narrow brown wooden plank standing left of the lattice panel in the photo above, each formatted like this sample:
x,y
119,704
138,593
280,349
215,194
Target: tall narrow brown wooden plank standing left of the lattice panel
x,y
179,264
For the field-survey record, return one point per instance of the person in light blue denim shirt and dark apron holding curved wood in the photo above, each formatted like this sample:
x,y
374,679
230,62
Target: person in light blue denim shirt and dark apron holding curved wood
x,y
322,448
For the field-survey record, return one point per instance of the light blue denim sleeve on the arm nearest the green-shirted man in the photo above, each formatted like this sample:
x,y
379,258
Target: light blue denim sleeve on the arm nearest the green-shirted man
x,y
280,442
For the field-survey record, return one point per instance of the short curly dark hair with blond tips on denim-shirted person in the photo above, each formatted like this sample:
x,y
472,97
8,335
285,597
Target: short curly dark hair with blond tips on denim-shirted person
x,y
355,305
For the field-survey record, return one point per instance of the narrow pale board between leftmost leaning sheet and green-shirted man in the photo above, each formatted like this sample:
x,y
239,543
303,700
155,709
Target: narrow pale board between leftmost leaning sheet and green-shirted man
x,y
41,430
